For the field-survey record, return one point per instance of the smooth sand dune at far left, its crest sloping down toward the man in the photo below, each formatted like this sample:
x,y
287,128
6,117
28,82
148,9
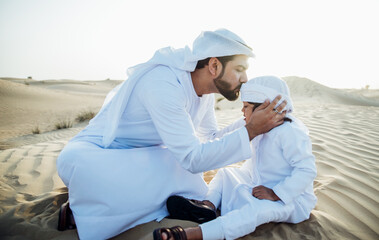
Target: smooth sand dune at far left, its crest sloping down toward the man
x,y
24,107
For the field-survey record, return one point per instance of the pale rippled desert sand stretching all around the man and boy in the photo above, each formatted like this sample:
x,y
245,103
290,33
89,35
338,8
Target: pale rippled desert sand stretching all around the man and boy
x,y
344,128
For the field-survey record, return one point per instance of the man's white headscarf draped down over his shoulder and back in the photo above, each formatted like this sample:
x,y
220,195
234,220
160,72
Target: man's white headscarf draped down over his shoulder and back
x,y
217,43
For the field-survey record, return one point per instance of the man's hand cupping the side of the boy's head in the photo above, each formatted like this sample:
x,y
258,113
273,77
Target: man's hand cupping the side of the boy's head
x,y
265,117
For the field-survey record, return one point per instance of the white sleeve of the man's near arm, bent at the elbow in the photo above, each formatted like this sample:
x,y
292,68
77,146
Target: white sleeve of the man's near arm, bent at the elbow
x,y
165,102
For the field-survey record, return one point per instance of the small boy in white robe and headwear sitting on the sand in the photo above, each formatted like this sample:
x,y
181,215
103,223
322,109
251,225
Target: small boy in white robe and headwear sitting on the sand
x,y
275,185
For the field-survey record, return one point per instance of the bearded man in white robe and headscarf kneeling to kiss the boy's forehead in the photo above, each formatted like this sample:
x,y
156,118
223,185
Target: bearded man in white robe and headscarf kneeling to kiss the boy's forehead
x,y
156,133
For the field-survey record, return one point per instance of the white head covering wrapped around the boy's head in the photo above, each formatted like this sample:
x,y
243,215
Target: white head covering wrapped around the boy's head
x,y
266,87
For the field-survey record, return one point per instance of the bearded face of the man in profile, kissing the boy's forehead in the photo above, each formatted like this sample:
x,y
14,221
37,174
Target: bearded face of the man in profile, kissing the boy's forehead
x,y
229,82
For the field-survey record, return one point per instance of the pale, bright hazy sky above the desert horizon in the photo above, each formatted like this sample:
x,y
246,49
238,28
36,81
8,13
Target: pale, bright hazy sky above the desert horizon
x,y
333,42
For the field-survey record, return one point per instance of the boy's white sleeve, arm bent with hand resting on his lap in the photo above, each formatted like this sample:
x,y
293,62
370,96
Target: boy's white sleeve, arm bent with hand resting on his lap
x,y
297,151
